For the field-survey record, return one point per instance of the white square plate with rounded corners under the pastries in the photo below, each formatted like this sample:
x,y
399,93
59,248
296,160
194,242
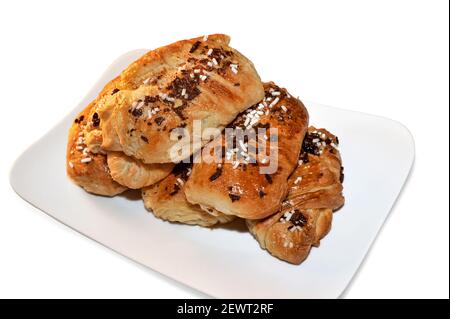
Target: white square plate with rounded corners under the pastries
x,y
227,262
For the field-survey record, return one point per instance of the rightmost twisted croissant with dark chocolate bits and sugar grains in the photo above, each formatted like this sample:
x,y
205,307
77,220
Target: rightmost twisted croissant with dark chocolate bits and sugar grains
x,y
315,190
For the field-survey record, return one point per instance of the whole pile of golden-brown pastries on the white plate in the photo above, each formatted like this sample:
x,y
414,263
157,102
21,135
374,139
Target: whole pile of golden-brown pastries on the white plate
x,y
126,137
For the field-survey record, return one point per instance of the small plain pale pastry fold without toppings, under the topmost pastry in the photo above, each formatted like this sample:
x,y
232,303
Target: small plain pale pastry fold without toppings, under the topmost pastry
x,y
133,173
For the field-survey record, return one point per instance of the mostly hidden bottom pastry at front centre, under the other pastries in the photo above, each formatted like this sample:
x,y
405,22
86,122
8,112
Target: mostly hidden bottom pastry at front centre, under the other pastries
x,y
166,200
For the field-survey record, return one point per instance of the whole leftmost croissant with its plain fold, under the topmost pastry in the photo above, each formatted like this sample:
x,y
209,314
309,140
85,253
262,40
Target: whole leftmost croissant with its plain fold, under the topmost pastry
x,y
89,166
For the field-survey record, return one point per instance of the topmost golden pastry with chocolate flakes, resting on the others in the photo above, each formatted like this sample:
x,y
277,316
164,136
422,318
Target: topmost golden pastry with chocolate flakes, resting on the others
x,y
172,86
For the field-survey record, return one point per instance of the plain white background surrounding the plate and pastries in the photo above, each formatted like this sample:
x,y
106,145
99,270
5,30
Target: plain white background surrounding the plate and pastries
x,y
388,58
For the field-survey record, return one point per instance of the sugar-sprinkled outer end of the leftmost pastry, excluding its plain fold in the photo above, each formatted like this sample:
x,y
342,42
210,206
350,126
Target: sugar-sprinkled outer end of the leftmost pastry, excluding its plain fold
x,y
87,169
